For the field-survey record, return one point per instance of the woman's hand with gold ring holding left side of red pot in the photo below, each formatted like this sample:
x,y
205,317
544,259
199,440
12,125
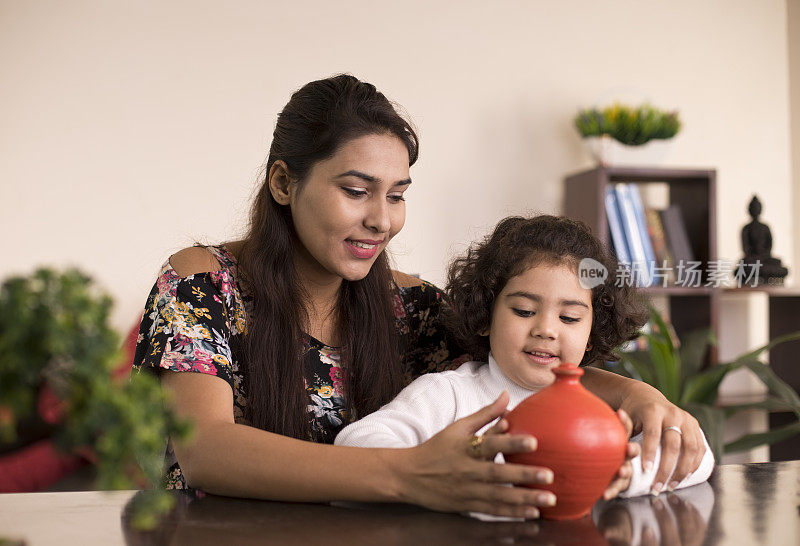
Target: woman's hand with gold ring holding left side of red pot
x,y
444,473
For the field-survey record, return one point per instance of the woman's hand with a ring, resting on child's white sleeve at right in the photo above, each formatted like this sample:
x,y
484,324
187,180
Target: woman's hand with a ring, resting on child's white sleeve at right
x,y
661,420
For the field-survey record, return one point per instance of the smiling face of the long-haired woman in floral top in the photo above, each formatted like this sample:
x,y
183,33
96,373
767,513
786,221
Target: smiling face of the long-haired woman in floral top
x,y
349,207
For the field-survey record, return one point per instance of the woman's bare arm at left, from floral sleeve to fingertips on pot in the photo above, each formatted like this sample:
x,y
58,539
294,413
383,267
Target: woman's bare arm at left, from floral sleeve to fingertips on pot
x,y
226,458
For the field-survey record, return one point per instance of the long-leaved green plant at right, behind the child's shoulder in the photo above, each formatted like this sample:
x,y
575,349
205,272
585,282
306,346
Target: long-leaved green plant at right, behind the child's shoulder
x,y
678,372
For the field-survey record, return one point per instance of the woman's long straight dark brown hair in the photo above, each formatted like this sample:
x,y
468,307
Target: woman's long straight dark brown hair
x,y
319,118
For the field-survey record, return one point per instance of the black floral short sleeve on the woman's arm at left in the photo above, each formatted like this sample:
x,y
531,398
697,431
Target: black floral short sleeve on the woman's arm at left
x,y
188,325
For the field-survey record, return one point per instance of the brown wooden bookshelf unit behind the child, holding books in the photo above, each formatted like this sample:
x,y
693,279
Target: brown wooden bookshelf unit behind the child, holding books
x,y
691,308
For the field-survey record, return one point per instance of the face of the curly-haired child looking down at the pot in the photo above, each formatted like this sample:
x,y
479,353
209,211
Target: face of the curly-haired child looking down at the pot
x,y
541,318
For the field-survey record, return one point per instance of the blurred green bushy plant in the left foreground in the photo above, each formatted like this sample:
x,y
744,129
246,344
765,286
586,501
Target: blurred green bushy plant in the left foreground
x,y
54,335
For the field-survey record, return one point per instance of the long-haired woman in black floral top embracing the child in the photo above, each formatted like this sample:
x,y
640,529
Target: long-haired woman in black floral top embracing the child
x,y
301,327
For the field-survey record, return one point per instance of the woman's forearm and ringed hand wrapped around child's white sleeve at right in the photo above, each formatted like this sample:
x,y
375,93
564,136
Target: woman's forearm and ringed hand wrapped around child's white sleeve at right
x,y
651,413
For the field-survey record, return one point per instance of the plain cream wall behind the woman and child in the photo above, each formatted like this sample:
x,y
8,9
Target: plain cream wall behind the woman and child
x,y
129,132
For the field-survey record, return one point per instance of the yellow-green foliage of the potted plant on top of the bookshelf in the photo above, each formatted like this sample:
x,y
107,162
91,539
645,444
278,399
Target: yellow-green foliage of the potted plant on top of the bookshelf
x,y
631,126
